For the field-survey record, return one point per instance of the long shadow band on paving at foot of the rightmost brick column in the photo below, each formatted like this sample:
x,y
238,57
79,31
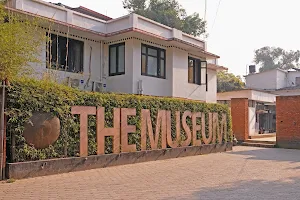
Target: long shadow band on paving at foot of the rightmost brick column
x,y
275,154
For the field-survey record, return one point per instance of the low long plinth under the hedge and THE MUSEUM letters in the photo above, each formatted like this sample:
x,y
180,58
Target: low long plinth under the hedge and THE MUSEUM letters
x,y
65,165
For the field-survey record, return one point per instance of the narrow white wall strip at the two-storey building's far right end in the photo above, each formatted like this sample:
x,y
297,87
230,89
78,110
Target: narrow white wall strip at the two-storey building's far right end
x,y
211,94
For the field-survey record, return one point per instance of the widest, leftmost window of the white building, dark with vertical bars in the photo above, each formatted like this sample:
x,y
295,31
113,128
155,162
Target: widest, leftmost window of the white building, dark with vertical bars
x,y
59,57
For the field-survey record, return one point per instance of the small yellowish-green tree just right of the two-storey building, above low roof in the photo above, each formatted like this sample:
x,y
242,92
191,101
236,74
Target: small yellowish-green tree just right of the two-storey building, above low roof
x,y
229,82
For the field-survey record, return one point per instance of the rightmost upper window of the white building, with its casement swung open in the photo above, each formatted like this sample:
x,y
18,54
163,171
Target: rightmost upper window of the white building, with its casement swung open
x,y
197,72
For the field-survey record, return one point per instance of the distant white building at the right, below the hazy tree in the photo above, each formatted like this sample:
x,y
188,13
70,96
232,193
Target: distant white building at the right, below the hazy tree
x,y
276,81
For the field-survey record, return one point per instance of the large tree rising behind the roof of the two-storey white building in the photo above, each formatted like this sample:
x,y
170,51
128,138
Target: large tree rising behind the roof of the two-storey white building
x,y
169,13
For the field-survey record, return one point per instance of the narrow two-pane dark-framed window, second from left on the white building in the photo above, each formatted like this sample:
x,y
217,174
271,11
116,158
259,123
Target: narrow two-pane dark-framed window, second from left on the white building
x,y
117,59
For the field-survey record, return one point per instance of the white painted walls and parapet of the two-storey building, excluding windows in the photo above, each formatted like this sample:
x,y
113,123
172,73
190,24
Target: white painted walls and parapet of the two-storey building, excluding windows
x,y
176,82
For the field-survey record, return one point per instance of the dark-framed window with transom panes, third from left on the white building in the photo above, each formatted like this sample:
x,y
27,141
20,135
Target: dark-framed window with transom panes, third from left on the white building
x,y
153,61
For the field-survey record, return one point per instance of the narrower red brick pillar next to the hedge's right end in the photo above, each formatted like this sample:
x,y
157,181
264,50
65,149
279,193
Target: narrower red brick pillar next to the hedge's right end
x,y
240,121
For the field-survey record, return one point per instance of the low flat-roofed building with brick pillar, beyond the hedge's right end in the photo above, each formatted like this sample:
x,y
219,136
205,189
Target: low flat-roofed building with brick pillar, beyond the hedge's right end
x,y
259,109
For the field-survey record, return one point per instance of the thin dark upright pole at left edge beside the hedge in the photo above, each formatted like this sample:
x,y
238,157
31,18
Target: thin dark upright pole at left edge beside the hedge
x,y
2,131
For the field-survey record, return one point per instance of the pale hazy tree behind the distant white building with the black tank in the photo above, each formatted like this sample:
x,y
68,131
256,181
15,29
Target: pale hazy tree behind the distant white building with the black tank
x,y
276,58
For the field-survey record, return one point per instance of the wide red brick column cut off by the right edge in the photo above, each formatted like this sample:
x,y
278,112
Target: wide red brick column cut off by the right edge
x,y
288,121
